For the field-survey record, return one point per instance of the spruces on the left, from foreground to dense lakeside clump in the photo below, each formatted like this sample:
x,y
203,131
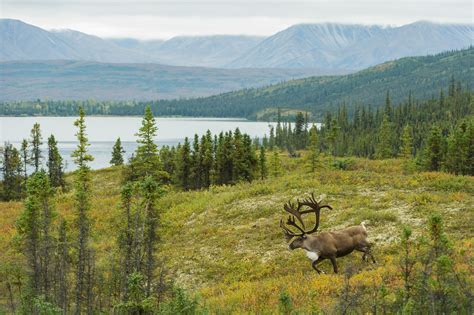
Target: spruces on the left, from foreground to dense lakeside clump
x,y
61,271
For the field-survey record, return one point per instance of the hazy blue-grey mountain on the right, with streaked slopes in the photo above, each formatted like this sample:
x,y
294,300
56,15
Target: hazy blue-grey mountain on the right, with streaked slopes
x,y
354,47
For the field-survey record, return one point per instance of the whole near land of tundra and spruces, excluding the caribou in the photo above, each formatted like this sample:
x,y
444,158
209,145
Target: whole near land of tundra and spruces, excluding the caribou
x,y
194,229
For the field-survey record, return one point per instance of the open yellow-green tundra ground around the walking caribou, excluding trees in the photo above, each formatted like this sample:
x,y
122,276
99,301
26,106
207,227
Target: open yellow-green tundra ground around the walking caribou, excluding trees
x,y
225,244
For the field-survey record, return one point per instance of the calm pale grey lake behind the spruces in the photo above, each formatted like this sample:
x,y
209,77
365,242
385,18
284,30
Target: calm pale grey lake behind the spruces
x,y
103,131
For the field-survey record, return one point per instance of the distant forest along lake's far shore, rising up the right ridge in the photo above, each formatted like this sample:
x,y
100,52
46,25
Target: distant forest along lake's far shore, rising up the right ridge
x,y
424,76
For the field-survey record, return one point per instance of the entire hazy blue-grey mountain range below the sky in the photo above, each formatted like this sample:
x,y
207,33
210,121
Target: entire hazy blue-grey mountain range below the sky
x,y
326,46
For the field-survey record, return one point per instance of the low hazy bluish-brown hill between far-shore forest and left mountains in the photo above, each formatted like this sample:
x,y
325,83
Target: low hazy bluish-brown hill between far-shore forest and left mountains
x,y
80,80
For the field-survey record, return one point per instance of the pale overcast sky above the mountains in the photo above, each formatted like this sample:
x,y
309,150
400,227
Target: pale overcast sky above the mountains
x,y
149,19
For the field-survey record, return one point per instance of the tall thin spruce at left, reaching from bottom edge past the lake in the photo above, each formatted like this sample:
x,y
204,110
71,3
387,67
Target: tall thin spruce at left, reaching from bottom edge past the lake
x,y
82,199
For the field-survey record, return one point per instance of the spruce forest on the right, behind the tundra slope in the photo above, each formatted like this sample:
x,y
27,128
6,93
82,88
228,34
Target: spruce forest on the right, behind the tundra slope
x,y
437,134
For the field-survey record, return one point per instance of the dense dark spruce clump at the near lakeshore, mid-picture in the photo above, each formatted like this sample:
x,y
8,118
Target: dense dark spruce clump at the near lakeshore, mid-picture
x,y
214,160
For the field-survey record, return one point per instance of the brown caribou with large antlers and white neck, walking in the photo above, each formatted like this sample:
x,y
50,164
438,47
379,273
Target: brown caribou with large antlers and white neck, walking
x,y
325,245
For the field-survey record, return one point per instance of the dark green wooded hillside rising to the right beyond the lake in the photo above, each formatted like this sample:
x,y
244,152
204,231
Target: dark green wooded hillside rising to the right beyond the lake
x,y
423,76
